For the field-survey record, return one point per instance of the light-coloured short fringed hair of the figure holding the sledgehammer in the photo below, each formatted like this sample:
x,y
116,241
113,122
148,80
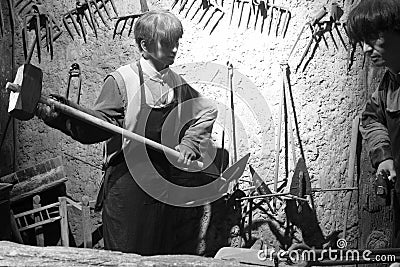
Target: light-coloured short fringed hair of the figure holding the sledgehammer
x,y
158,26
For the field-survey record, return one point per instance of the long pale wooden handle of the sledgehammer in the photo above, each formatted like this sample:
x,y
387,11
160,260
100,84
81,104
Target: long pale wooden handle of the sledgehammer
x,y
80,115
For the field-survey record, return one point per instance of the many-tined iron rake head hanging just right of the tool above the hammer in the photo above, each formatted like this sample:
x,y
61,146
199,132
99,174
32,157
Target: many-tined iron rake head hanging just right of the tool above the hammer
x,y
88,9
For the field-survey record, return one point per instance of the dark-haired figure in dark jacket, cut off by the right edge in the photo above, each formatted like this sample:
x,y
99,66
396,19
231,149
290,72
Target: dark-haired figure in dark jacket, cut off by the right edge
x,y
376,24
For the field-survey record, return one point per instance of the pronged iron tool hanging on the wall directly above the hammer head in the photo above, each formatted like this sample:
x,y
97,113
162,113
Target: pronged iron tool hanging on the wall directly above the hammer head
x,y
39,20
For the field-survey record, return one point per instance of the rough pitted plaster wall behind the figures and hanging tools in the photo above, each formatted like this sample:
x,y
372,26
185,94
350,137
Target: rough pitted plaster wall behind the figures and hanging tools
x,y
326,97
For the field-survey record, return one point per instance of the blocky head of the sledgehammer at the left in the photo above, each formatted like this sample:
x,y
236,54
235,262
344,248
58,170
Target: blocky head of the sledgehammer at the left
x,y
22,105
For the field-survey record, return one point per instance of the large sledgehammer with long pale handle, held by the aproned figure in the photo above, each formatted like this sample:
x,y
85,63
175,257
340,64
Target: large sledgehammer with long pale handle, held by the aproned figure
x,y
25,94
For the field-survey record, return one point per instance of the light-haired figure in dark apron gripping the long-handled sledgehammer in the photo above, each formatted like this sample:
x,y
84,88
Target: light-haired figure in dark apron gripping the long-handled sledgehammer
x,y
140,97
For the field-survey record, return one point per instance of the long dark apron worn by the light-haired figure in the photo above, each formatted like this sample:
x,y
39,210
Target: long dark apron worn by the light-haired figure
x,y
133,221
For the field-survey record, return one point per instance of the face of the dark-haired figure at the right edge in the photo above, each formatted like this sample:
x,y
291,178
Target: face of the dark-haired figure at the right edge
x,y
385,51
